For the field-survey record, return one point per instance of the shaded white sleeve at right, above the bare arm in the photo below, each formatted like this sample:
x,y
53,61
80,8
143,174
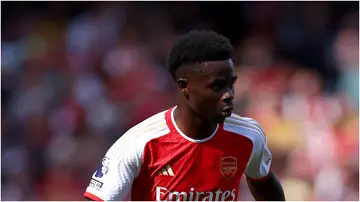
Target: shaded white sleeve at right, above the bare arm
x,y
259,163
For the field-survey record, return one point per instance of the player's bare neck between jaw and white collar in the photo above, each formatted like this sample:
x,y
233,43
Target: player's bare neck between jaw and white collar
x,y
191,124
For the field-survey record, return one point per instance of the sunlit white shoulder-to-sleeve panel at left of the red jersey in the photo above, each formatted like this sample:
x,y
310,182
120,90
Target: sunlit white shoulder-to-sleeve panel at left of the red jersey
x,y
126,158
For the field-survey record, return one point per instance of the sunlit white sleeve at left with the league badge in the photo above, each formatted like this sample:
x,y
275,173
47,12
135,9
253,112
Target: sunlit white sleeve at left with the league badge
x,y
114,177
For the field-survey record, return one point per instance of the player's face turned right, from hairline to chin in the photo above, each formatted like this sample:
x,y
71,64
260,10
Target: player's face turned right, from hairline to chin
x,y
211,90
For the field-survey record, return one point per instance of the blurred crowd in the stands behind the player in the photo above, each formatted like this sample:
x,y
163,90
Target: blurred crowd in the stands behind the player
x,y
76,75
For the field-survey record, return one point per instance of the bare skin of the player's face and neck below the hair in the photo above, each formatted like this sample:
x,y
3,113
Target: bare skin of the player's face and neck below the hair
x,y
203,95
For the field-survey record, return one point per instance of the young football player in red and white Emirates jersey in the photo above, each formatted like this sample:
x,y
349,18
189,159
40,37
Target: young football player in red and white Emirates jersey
x,y
197,150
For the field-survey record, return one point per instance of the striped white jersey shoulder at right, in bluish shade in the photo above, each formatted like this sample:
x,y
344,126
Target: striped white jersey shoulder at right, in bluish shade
x,y
245,126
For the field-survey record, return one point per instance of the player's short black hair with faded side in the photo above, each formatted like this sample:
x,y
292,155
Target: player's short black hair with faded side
x,y
198,46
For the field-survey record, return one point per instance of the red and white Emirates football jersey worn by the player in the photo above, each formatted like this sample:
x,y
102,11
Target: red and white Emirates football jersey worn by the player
x,y
154,160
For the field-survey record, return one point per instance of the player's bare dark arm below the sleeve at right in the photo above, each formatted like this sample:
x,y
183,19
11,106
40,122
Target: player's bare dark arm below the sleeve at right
x,y
268,189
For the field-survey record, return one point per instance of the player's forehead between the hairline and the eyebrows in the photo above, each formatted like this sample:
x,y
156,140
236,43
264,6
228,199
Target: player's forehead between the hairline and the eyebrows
x,y
223,68
